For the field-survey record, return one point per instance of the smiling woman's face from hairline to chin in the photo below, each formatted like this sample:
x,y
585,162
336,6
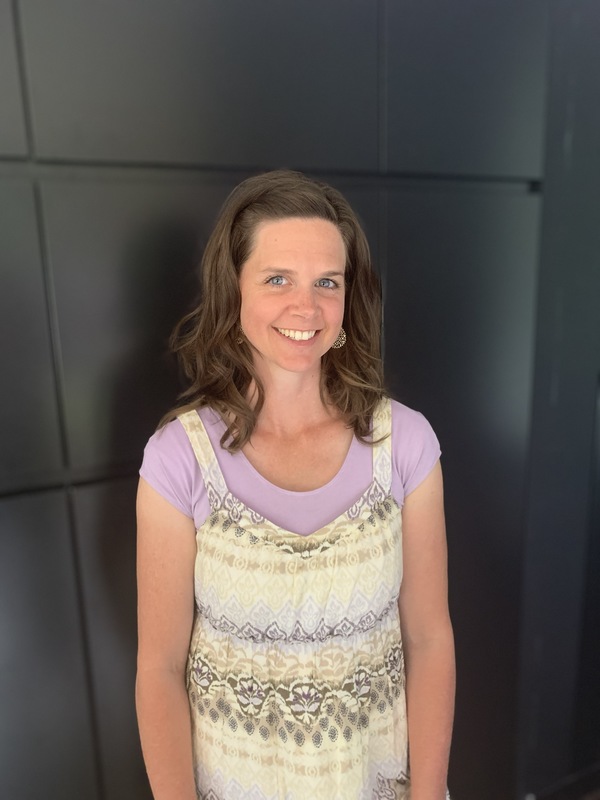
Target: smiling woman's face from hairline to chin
x,y
292,289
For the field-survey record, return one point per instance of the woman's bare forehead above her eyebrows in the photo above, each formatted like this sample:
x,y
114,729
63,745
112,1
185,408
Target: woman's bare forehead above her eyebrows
x,y
298,235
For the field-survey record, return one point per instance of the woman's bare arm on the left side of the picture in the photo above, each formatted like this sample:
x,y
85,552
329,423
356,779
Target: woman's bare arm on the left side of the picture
x,y
165,567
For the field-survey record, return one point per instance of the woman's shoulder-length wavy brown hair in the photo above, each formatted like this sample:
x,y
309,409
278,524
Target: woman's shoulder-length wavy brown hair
x,y
219,368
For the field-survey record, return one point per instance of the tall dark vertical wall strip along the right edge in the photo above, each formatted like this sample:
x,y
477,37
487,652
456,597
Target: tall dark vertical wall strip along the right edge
x,y
560,690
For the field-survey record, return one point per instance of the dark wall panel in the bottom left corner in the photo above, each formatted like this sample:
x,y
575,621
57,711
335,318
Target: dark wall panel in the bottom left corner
x,y
45,730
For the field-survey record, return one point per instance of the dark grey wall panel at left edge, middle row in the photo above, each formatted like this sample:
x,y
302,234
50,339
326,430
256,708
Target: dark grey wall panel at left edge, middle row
x,y
30,451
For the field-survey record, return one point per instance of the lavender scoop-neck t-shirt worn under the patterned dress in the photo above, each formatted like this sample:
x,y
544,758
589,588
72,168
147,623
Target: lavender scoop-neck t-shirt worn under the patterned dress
x,y
170,467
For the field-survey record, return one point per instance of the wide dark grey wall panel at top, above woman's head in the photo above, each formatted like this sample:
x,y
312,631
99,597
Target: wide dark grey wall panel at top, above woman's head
x,y
231,83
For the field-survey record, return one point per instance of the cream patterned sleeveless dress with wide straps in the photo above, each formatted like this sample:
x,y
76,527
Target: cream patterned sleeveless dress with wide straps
x,y
295,673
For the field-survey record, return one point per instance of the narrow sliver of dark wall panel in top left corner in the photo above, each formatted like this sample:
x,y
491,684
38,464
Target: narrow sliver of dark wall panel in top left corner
x,y
12,128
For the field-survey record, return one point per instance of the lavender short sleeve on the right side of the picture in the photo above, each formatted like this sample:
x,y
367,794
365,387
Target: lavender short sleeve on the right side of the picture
x,y
415,450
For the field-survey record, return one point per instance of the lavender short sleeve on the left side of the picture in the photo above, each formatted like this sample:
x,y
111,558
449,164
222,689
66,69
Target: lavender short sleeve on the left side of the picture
x,y
169,465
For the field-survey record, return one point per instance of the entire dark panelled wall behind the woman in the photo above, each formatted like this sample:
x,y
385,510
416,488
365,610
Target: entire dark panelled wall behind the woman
x,y
97,268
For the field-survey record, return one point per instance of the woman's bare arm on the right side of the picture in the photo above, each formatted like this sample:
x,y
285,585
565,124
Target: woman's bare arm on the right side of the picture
x,y
427,637
